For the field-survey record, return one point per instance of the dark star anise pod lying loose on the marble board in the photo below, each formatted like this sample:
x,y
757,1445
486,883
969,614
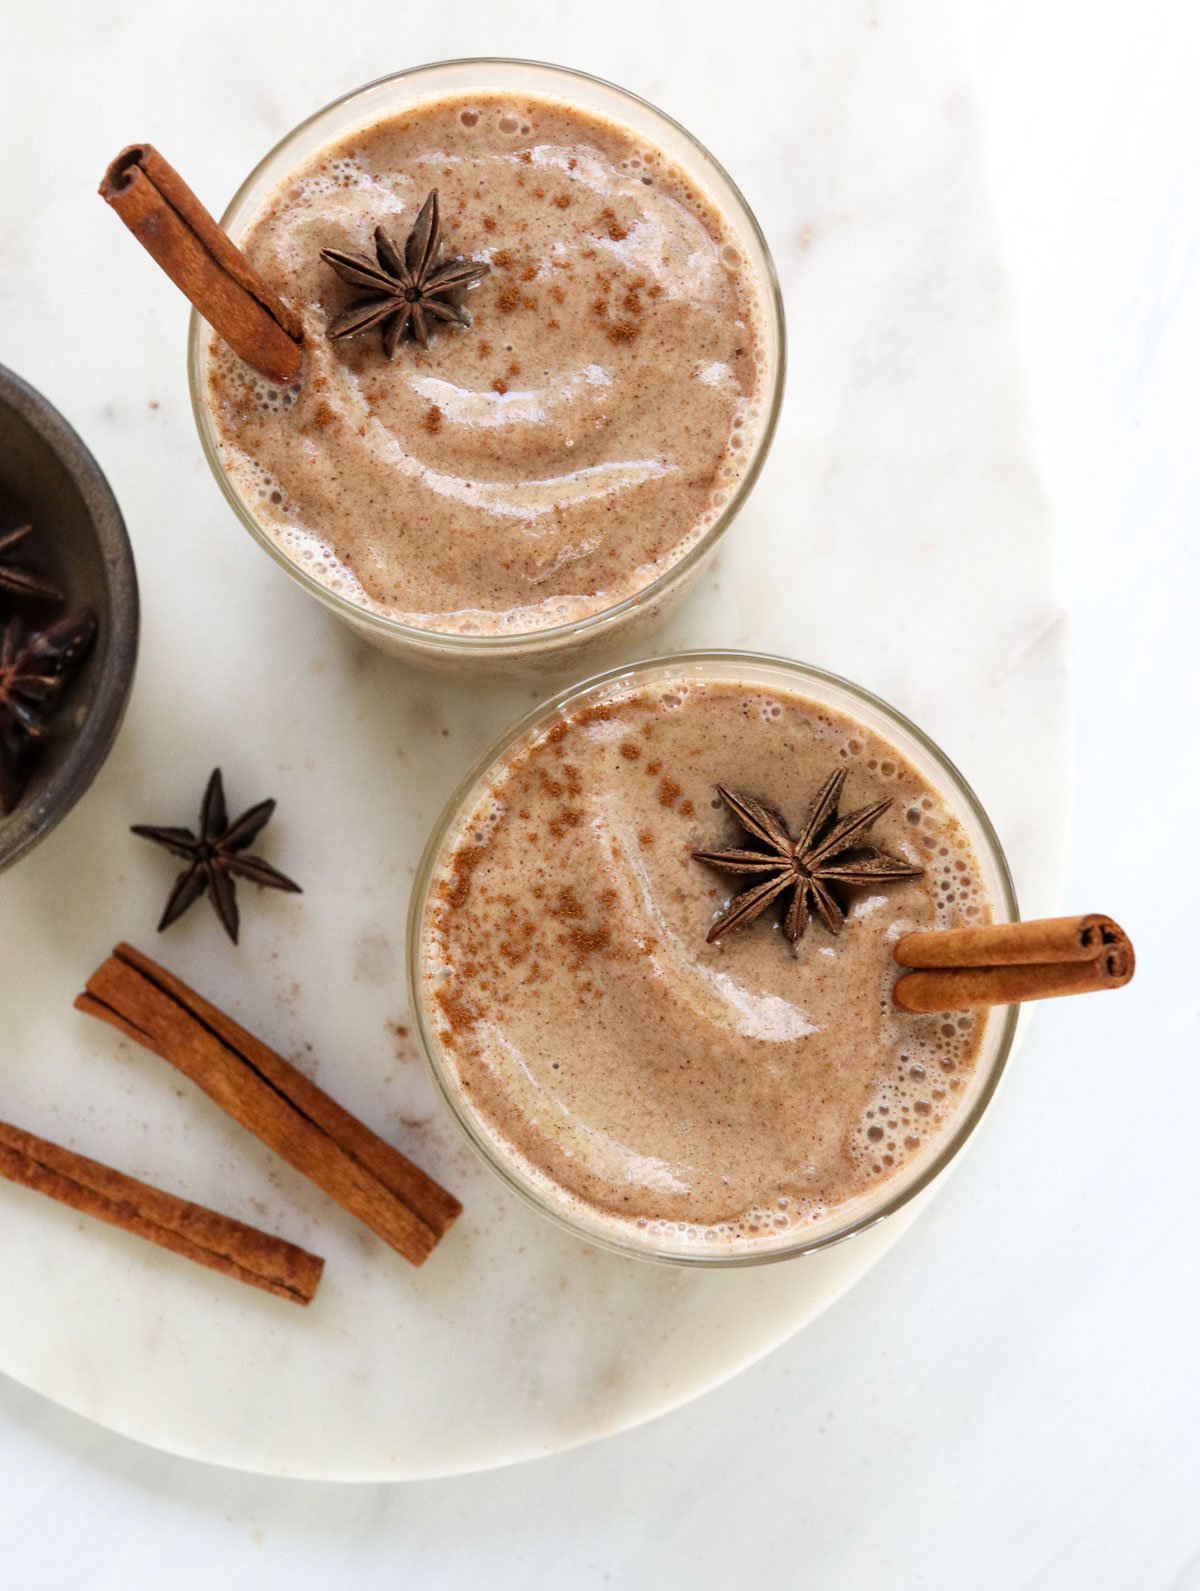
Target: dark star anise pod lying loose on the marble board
x,y
216,858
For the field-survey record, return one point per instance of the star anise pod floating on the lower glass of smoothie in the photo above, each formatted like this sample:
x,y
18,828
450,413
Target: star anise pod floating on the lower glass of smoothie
x,y
816,866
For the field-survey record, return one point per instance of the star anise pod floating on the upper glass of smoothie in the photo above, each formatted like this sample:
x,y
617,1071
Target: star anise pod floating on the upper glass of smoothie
x,y
407,290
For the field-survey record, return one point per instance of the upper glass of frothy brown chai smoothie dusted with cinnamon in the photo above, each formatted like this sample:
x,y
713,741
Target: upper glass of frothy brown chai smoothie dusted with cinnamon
x,y
559,469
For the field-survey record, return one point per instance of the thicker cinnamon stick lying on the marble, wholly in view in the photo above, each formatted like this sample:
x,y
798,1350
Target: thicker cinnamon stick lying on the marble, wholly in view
x,y
279,1105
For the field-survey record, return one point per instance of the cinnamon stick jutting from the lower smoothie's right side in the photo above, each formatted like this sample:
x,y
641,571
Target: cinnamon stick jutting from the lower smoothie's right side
x,y
1005,963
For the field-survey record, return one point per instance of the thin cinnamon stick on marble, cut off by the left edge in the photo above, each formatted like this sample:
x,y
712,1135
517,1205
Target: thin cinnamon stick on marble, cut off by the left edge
x,y
192,1231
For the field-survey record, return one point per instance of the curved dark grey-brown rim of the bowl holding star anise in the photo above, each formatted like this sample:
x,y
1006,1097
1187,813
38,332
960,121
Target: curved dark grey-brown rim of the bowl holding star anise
x,y
120,623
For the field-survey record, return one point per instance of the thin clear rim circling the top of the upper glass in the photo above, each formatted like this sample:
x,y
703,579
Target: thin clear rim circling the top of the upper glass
x,y
551,637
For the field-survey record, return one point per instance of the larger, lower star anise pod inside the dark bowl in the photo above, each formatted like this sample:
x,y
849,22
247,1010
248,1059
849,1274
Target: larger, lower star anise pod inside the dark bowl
x,y
34,674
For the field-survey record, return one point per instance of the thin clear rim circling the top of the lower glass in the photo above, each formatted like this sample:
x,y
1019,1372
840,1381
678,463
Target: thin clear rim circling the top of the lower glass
x,y
906,1191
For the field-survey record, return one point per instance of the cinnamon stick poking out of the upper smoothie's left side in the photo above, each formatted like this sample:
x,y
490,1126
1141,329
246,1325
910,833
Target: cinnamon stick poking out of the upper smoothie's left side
x,y
166,217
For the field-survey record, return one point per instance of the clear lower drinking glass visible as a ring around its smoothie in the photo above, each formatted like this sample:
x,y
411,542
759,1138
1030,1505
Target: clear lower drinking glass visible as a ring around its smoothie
x,y
758,672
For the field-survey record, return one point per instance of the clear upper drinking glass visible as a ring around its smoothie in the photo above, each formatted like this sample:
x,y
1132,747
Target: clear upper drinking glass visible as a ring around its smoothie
x,y
403,90
